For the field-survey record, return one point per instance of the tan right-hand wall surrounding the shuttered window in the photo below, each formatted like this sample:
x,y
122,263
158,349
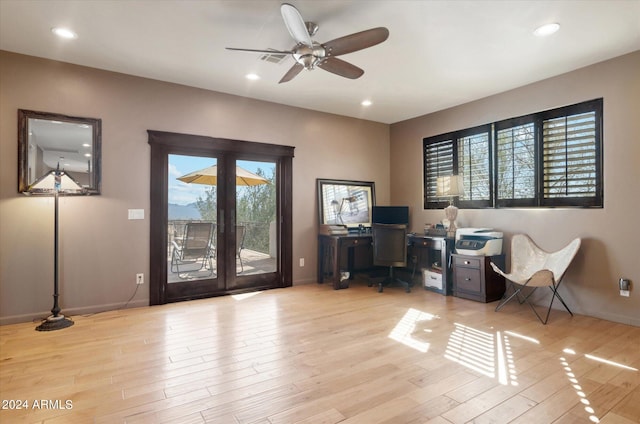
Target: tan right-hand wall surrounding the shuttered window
x,y
610,235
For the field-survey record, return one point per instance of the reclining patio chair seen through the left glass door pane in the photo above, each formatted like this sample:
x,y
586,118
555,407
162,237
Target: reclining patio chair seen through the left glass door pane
x,y
194,247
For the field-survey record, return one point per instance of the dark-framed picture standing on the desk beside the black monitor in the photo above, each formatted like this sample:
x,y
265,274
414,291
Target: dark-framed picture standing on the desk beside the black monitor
x,y
342,202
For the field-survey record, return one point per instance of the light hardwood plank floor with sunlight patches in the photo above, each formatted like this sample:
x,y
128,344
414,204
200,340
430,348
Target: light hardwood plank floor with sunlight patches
x,y
309,354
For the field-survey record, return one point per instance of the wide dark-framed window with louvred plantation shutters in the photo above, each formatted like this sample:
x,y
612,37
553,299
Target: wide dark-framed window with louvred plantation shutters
x,y
546,159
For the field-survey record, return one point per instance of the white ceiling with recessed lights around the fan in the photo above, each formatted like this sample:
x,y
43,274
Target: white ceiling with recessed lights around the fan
x,y
439,53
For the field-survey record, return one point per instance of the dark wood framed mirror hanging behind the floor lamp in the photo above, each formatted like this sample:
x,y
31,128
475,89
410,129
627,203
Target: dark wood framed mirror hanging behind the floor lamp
x,y
50,140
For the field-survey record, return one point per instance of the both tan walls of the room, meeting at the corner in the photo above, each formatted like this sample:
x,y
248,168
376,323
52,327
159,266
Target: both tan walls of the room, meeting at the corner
x,y
103,250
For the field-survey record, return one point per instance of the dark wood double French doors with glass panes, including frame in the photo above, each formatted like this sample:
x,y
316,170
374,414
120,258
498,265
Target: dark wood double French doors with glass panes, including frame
x,y
220,216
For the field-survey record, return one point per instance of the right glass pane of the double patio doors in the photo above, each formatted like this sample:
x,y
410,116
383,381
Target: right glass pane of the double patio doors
x,y
256,224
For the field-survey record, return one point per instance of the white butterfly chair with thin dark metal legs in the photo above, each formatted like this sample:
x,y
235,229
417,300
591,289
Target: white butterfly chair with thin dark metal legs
x,y
532,267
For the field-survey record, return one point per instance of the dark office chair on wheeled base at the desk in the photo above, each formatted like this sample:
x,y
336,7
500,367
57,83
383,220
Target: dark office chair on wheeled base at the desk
x,y
390,249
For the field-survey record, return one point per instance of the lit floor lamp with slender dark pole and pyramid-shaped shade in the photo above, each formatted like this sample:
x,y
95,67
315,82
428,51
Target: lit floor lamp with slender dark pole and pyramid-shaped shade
x,y
56,181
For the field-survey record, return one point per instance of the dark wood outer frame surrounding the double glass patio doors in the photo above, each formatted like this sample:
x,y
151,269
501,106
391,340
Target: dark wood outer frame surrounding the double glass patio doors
x,y
165,143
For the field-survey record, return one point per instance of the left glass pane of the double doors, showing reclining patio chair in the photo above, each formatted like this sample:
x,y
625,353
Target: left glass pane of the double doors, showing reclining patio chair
x,y
192,227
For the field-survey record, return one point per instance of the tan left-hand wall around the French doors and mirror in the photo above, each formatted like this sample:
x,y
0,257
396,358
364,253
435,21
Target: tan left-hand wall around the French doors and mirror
x,y
101,249
